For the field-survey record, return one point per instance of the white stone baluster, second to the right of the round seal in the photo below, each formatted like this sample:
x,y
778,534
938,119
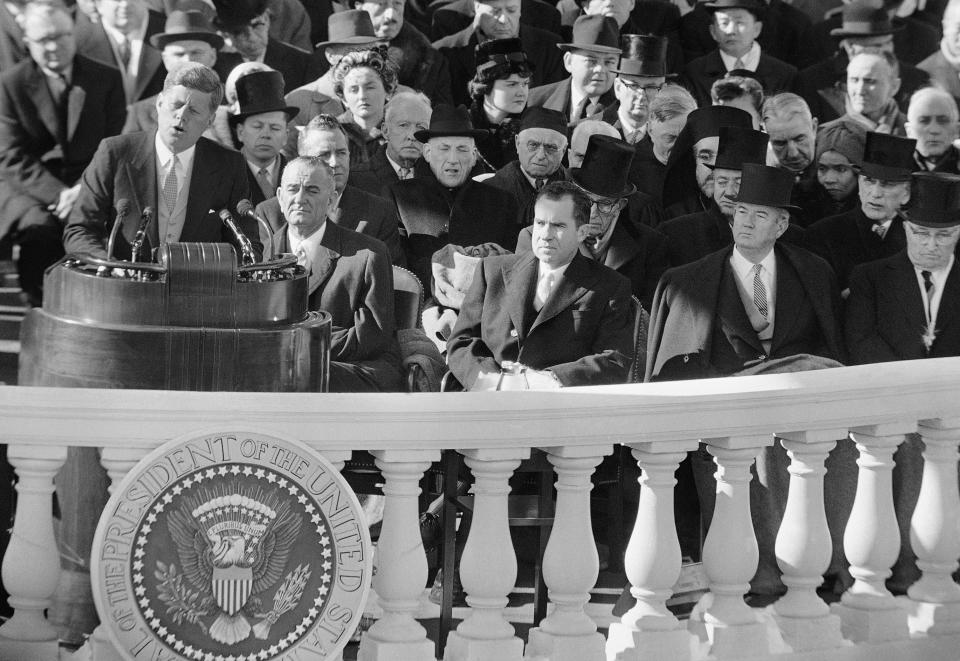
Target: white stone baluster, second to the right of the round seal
x,y
488,567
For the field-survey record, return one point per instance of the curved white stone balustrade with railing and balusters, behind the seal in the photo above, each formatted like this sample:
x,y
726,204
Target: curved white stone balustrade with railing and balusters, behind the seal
x,y
808,414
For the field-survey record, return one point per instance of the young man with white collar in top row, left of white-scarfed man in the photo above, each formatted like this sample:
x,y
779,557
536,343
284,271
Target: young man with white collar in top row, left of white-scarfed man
x,y
736,26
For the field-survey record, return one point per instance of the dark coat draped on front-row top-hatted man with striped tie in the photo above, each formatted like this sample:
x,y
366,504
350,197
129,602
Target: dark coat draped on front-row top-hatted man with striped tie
x,y
698,327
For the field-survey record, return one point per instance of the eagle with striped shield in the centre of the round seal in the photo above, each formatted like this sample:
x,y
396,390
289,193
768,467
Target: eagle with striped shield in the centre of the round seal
x,y
233,546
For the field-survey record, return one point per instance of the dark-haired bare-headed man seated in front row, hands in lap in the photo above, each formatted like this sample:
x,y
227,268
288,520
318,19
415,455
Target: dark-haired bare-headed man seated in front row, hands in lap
x,y
566,317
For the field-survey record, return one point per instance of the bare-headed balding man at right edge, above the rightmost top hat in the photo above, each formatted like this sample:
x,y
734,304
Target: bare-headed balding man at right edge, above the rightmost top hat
x,y
932,120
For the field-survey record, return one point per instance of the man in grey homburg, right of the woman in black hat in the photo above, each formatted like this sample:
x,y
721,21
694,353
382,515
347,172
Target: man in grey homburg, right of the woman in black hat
x,y
590,59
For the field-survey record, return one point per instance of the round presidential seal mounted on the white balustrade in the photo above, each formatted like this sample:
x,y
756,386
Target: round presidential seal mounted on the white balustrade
x,y
231,547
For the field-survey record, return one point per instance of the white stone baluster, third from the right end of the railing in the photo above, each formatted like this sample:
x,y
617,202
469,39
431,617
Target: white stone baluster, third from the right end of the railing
x,y
803,545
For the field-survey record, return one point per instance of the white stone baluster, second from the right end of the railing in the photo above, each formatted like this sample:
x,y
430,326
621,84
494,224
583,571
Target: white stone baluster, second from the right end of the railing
x,y
872,540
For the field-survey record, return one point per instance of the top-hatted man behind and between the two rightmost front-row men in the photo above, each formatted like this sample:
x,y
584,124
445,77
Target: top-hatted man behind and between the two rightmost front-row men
x,y
875,228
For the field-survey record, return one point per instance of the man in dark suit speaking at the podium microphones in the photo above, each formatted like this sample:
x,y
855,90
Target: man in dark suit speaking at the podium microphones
x,y
182,177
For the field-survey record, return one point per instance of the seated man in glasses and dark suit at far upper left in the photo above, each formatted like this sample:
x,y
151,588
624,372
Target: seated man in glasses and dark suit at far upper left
x,y
55,108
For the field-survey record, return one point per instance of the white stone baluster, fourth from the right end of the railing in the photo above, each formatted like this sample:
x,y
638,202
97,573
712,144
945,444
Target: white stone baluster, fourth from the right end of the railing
x,y
733,628
